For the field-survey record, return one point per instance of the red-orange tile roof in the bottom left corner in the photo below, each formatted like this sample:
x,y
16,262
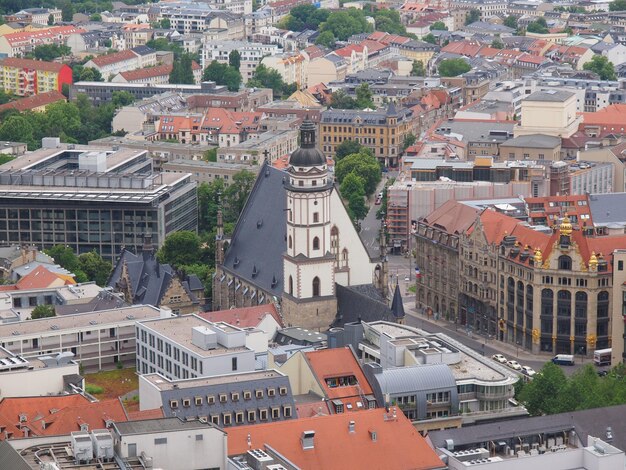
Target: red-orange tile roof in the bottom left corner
x,y
49,416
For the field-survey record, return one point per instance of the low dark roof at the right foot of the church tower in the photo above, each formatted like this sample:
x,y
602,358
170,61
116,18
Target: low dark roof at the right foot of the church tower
x,y
360,303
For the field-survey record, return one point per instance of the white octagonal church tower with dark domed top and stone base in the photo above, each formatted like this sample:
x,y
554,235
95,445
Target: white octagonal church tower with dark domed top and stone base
x,y
309,266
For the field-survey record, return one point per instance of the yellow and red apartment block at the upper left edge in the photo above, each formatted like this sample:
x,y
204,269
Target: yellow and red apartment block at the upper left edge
x,y
25,77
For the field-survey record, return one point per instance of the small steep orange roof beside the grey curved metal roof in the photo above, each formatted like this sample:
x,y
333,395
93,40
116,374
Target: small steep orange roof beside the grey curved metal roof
x,y
331,363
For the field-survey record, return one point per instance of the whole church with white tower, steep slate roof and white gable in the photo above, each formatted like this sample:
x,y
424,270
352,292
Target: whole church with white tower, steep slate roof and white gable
x,y
295,245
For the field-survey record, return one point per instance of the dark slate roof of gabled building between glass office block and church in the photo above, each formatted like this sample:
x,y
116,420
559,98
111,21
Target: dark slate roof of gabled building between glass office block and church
x,y
149,279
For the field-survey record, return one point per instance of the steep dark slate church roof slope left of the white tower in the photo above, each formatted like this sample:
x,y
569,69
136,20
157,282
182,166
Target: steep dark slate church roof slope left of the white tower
x,y
256,250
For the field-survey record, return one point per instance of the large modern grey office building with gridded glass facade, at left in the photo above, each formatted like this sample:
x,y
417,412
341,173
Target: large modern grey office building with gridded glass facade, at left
x,y
92,198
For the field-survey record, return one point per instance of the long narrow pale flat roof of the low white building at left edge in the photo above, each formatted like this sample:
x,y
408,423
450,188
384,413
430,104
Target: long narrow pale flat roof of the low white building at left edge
x,y
95,320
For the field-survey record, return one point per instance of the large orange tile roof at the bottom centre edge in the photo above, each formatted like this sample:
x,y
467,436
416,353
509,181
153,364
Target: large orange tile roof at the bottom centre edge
x,y
397,446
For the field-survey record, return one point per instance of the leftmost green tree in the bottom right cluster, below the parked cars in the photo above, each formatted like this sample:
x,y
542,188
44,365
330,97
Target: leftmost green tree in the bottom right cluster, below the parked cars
x,y
543,394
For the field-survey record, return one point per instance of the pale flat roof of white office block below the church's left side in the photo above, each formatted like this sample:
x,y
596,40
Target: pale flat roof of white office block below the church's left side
x,y
178,329
